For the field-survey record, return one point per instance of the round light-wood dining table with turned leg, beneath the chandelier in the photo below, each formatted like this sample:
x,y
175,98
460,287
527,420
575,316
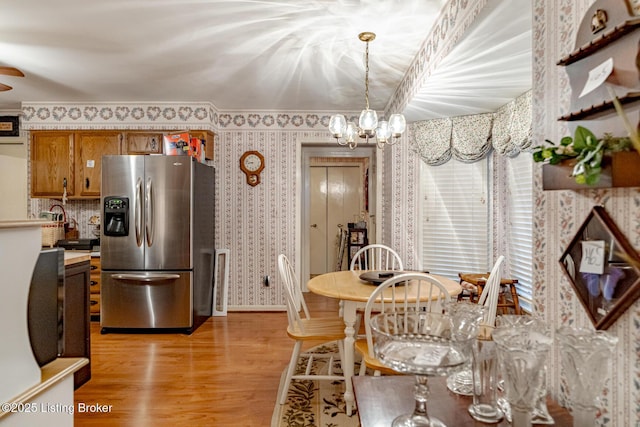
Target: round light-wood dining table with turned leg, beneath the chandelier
x,y
347,286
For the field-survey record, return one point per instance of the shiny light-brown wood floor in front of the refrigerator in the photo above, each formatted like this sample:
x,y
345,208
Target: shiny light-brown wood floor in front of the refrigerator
x,y
225,374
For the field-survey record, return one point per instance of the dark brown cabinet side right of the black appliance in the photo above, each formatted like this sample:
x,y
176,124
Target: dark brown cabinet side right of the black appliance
x,y
76,317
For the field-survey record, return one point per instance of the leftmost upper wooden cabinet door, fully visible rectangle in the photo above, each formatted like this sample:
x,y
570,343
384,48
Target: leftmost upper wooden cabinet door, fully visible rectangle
x,y
51,163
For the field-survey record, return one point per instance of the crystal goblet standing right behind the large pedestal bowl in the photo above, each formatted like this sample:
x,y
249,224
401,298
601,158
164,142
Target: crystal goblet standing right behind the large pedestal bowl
x,y
466,319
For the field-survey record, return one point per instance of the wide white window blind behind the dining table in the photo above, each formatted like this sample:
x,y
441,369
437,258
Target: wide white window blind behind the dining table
x,y
455,233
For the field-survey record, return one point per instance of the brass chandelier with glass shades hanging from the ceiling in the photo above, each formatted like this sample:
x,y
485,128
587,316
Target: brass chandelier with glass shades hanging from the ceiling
x,y
386,133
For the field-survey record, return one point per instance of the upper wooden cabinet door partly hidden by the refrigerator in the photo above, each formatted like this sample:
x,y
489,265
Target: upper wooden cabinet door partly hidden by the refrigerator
x,y
90,147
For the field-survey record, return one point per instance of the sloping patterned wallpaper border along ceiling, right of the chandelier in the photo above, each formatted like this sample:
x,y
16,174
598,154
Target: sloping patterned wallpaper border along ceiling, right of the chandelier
x,y
456,17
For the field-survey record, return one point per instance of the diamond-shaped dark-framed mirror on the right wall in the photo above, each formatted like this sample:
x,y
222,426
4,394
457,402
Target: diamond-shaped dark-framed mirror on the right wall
x,y
603,268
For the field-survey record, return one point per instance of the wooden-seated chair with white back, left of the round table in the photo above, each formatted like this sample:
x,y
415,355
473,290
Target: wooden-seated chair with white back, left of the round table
x,y
303,327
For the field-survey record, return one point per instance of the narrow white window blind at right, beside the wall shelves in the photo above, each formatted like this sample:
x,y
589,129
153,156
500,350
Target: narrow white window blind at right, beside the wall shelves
x,y
520,244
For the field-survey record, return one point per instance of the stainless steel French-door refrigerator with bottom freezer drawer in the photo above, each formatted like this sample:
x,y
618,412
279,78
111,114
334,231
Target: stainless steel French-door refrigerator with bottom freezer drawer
x,y
156,243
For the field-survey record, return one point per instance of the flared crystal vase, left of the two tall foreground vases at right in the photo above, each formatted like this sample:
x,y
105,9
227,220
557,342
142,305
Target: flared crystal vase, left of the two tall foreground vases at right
x,y
522,353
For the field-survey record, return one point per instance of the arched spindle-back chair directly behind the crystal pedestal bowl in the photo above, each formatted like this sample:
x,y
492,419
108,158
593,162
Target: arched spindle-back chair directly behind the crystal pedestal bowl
x,y
405,292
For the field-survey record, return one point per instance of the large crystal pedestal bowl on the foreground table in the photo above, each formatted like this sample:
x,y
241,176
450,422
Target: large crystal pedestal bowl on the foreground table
x,y
422,344
